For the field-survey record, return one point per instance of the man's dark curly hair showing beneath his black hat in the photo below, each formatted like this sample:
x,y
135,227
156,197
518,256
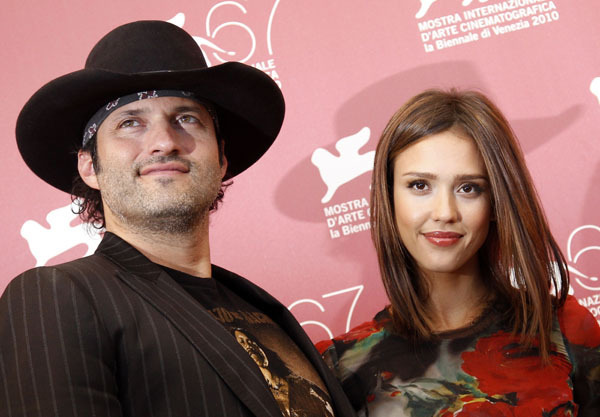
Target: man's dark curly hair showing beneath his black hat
x,y
88,200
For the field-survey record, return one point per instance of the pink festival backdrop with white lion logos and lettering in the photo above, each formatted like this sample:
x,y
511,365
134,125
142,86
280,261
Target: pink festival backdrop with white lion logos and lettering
x,y
297,222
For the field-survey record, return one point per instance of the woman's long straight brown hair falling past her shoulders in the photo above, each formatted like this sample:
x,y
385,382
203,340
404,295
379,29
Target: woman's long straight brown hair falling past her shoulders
x,y
520,259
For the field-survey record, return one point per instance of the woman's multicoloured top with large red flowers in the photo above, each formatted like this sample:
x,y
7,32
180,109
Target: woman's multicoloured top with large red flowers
x,y
481,370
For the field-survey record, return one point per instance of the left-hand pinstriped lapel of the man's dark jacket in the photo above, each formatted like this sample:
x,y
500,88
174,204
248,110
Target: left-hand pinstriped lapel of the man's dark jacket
x,y
195,323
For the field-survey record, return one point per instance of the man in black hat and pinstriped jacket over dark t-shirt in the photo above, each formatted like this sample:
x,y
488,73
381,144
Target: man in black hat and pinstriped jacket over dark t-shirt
x,y
147,326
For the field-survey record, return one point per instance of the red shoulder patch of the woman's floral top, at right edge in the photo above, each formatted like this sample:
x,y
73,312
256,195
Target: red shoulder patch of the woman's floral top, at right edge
x,y
578,325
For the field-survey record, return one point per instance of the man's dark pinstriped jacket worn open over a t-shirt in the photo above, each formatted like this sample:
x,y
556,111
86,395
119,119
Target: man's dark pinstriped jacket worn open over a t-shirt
x,y
113,335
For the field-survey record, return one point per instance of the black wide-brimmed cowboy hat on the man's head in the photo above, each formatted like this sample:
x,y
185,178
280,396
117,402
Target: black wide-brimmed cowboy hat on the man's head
x,y
139,56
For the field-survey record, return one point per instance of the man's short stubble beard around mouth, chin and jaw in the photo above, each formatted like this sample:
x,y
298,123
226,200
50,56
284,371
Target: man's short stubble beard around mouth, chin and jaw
x,y
165,208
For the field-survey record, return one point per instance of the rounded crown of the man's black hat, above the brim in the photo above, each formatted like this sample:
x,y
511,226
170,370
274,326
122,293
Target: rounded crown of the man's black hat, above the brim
x,y
146,46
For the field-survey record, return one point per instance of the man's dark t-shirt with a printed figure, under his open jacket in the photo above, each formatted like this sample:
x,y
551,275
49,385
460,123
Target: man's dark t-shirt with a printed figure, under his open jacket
x,y
292,380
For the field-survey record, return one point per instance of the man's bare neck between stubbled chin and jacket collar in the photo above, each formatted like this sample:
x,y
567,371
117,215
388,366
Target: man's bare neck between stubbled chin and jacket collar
x,y
186,252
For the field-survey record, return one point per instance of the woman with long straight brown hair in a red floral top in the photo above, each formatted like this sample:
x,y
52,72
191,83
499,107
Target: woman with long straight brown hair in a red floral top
x,y
470,268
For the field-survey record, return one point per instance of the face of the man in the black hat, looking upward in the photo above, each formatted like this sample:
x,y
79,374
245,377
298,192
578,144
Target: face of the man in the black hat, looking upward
x,y
158,165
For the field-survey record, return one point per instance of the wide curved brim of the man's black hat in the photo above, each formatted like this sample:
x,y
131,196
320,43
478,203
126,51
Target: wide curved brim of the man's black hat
x,y
49,129
